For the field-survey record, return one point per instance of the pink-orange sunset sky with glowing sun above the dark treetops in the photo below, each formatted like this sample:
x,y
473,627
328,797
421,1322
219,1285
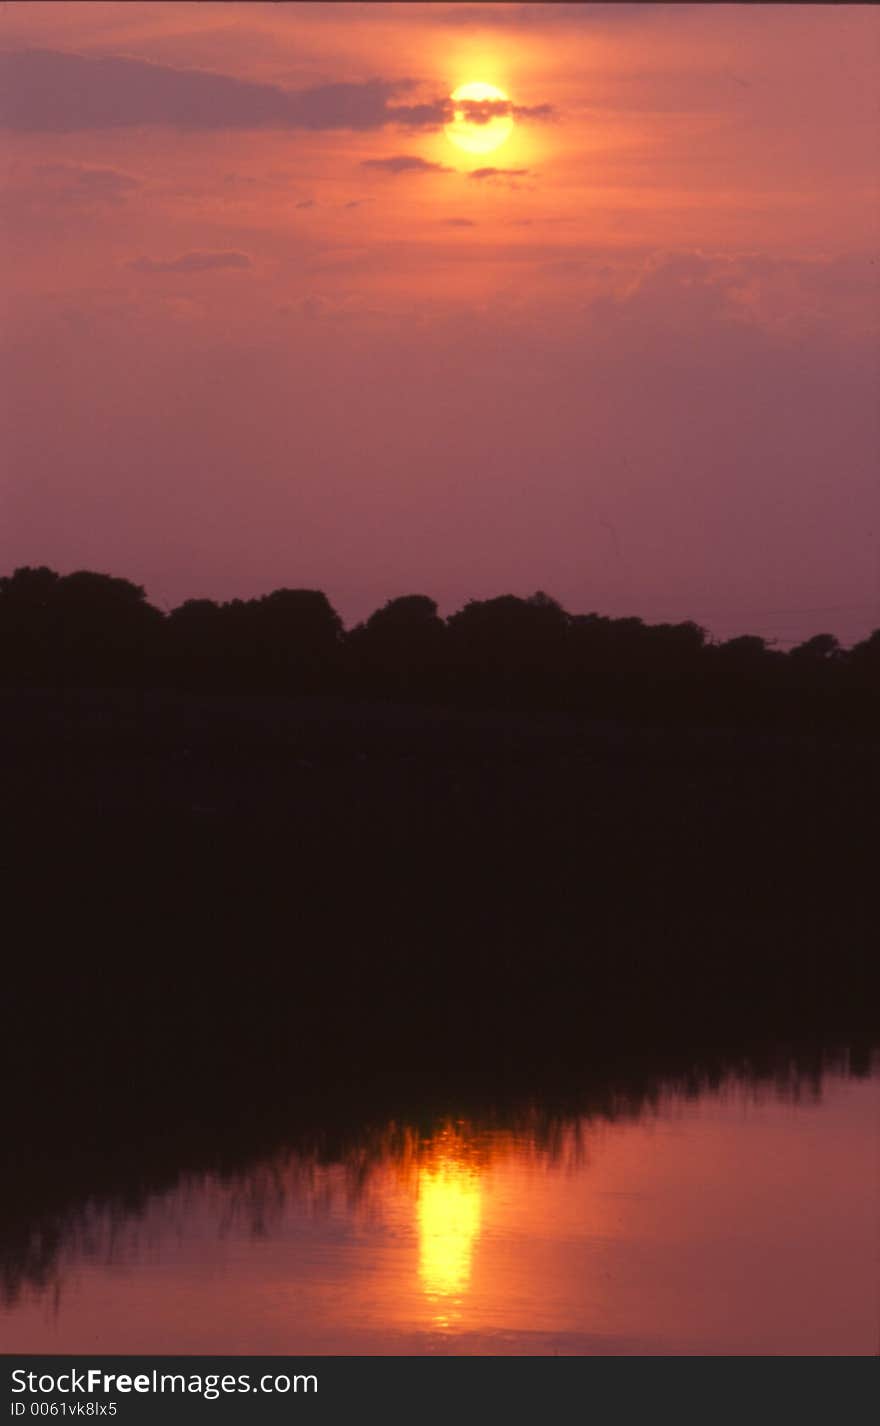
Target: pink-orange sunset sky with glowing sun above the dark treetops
x,y
267,324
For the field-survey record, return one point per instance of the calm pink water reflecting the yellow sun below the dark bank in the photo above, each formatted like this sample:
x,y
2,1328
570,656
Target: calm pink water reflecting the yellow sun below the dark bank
x,y
738,1220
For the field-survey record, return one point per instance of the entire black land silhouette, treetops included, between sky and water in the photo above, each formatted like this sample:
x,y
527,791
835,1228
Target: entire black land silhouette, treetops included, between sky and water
x,y
263,888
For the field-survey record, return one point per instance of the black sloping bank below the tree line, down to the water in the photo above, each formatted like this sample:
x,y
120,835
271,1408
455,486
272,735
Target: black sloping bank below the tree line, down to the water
x,y
239,923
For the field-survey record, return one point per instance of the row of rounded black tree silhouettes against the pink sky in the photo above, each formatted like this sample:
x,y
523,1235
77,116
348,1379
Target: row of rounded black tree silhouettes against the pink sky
x,y
93,630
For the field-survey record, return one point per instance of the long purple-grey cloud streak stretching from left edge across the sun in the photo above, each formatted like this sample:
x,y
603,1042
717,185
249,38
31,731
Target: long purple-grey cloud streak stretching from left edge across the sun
x,y
53,92
